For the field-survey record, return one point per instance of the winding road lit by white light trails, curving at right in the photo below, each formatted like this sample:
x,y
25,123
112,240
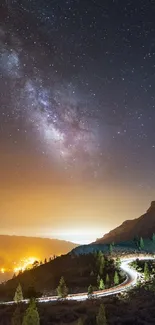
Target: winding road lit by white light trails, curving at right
x,y
131,280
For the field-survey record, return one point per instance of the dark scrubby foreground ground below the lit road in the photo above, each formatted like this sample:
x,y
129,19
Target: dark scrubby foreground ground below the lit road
x,y
138,308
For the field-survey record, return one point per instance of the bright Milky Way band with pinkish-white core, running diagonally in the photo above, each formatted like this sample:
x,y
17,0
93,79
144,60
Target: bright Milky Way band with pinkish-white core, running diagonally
x,y
66,128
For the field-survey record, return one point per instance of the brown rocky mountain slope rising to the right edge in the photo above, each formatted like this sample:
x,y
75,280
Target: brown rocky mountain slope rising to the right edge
x,y
143,226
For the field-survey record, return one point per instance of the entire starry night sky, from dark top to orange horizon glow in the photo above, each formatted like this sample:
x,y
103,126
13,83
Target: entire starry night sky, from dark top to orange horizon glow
x,y
77,115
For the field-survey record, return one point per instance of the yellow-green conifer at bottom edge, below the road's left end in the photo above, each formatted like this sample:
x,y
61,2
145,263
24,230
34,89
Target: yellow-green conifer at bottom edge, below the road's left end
x,y
31,316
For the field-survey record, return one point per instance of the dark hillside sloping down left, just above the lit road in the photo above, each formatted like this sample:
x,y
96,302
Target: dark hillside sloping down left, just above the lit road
x,y
78,272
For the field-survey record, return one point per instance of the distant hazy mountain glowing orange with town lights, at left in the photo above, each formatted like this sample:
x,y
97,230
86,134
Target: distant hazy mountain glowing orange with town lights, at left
x,y
15,248
